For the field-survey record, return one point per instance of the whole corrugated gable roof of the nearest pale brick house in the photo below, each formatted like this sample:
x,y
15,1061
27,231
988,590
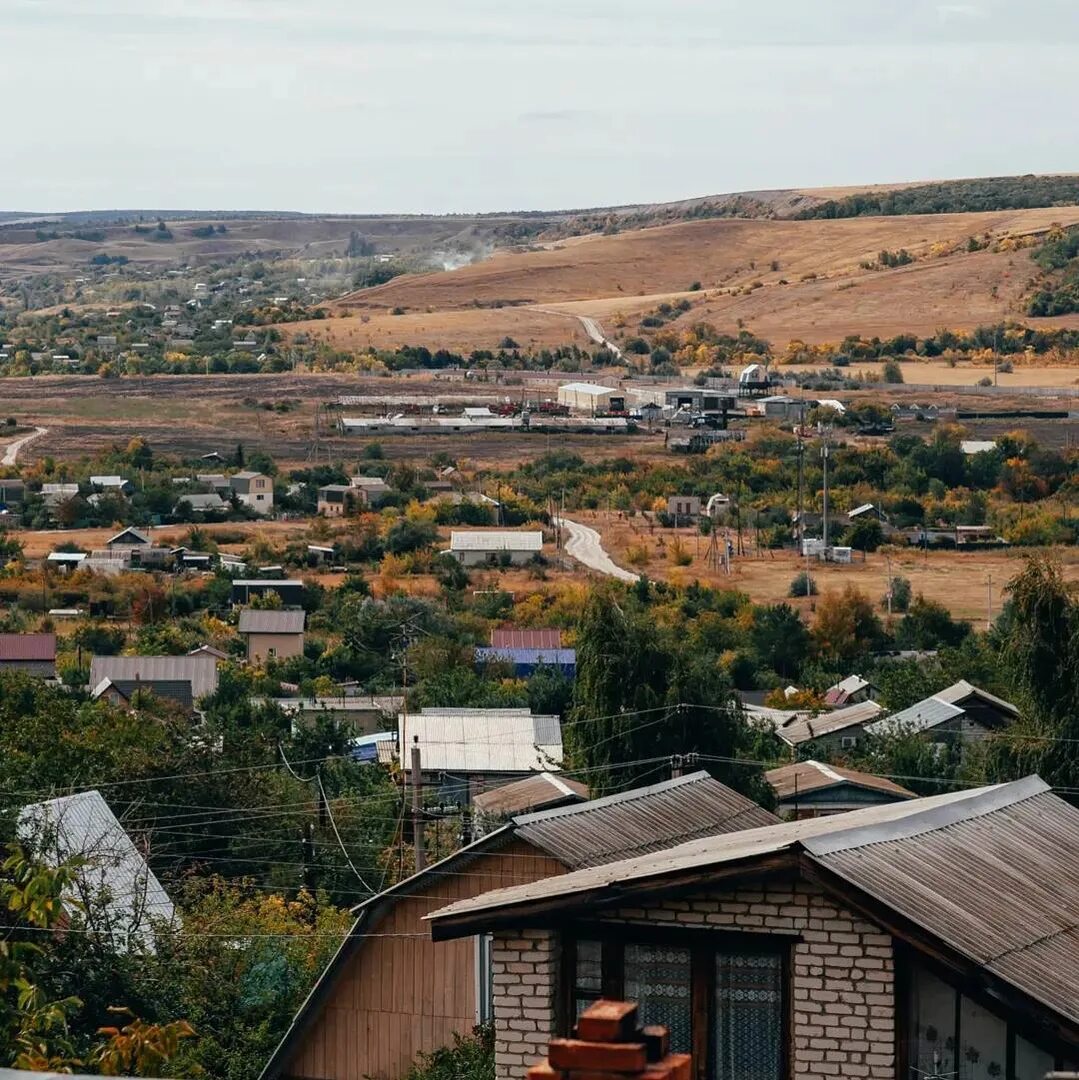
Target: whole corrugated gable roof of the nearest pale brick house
x,y
989,876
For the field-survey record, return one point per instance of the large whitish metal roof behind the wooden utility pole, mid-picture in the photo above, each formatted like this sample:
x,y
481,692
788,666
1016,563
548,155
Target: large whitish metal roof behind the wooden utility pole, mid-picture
x,y
473,741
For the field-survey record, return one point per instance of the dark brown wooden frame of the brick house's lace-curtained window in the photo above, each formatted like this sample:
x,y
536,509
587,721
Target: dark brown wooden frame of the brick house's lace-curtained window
x,y
704,944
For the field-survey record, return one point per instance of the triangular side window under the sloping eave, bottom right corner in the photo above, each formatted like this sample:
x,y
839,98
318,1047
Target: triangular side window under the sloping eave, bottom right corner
x,y
953,1036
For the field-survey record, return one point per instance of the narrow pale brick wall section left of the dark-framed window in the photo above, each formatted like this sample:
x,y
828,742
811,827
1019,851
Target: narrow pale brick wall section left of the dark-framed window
x,y
527,979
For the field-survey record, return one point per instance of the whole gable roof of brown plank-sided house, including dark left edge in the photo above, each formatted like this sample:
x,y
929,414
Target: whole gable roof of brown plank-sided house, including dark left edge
x,y
684,794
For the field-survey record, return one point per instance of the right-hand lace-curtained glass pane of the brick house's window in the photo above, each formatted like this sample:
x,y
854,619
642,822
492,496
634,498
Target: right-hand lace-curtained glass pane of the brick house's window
x,y
749,1024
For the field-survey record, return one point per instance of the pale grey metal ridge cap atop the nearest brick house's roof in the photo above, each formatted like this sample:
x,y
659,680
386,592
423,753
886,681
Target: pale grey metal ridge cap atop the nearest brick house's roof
x,y
969,805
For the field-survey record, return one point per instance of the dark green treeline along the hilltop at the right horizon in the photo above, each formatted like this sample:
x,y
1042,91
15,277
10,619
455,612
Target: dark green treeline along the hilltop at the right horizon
x,y
954,197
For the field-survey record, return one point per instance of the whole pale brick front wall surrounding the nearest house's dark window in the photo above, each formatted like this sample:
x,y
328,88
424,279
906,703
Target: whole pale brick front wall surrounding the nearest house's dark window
x,y
843,980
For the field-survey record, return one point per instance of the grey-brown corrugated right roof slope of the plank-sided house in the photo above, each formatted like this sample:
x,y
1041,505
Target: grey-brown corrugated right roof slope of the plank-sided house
x,y
648,819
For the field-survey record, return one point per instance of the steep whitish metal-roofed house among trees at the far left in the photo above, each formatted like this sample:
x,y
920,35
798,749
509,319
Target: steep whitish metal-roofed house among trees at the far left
x,y
117,893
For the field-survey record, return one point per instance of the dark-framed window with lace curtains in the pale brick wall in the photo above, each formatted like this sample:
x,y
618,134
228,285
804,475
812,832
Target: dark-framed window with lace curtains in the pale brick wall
x,y
722,995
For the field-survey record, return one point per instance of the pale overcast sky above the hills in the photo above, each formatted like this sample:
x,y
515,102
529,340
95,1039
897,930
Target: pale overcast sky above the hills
x,y
442,106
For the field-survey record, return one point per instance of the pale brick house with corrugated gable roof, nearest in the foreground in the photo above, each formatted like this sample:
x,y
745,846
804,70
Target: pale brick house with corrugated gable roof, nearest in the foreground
x,y
929,938
